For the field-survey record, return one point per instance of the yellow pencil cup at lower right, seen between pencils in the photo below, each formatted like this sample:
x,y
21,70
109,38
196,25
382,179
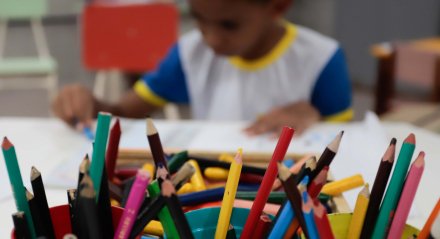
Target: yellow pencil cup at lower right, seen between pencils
x,y
340,223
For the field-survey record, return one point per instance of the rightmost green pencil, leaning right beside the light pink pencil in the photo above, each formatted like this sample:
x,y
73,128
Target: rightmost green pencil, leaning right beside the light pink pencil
x,y
394,189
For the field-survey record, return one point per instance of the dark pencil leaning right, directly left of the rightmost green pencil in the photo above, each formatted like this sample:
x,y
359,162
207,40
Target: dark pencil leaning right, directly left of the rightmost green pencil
x,y
377,192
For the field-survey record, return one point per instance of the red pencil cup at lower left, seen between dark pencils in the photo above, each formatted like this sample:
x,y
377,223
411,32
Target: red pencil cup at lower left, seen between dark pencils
x,y
61,219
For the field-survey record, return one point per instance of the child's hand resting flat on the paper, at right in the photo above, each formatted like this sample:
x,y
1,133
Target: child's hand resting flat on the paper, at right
x,y
299,115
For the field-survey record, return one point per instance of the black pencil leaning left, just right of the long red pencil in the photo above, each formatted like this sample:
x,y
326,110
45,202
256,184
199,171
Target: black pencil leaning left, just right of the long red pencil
x,y
289,184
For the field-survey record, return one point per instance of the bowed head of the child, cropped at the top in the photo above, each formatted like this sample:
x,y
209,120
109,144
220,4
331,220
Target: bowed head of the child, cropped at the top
x,y
237,27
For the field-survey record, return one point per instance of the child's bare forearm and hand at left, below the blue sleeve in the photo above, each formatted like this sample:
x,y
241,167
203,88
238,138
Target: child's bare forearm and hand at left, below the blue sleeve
x,y
77,106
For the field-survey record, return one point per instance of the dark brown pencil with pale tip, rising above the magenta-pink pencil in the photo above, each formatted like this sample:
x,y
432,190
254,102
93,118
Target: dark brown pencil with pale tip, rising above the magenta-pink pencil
x,y
155,144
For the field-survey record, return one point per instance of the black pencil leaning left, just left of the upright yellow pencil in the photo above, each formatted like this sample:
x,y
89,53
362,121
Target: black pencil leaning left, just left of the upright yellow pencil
x,y
169,194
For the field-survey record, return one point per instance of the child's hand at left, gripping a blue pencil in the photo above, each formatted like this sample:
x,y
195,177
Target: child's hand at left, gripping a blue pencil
x,y
75,105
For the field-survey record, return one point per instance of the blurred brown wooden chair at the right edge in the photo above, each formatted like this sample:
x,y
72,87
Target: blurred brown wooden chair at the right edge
x,y
417,63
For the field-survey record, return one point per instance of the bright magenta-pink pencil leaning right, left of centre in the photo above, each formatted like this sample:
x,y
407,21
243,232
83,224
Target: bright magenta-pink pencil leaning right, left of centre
x,y
134,201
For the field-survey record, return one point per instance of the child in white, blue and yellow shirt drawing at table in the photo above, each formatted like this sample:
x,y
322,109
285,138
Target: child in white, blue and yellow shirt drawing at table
x,y
242,63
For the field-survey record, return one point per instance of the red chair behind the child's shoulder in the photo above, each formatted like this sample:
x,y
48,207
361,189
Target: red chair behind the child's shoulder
x,y
126,38
